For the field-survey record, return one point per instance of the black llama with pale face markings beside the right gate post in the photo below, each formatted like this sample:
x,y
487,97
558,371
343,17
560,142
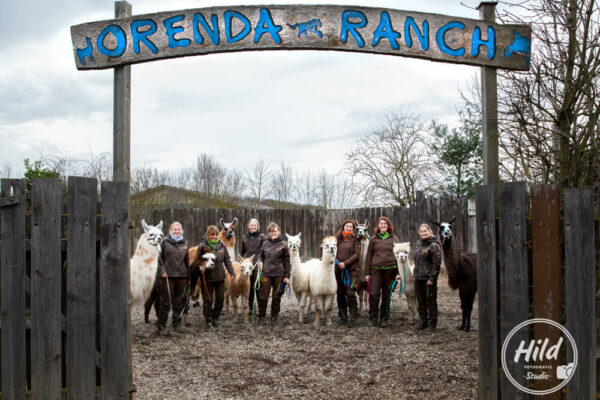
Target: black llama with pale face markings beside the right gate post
x,y
462,272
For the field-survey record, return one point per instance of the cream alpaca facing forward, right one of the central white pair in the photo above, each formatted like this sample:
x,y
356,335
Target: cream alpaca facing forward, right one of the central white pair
x,y
323,286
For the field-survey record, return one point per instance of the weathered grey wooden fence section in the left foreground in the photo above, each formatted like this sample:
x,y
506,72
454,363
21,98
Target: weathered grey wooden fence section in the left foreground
x,y
64,291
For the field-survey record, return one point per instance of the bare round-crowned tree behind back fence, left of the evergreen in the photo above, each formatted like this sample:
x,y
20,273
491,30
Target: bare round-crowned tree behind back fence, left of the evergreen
x,y
391,163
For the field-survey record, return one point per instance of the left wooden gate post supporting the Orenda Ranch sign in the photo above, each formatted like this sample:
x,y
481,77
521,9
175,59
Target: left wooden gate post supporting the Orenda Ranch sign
x,y
122,111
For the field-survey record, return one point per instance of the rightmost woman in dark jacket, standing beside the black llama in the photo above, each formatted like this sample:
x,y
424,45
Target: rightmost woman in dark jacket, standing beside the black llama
x,y
428,258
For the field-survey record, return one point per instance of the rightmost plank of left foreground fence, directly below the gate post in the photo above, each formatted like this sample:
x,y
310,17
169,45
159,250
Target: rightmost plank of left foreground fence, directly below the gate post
x,y
114,290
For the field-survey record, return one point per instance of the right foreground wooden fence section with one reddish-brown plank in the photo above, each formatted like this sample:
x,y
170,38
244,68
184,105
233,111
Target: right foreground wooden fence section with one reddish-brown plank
x,y
534,264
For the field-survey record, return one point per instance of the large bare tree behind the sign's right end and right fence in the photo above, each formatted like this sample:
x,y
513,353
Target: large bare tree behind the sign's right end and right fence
x,y
549,115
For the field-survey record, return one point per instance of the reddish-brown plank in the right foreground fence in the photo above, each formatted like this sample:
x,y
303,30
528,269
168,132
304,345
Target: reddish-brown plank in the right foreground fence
x,y
547,293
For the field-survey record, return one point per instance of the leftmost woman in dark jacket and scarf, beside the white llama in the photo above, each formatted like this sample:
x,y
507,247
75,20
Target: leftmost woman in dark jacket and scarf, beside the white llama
x,y
173,274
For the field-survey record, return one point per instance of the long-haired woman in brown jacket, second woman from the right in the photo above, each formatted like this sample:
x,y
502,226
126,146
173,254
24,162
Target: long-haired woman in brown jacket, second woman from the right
x,y
381,270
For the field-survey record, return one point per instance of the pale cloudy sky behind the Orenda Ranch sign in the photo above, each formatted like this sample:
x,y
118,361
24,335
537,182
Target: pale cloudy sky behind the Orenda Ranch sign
x,y
304,108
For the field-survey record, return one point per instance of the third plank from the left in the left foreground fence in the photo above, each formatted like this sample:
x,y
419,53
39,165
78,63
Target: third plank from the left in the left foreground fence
x,y
81,289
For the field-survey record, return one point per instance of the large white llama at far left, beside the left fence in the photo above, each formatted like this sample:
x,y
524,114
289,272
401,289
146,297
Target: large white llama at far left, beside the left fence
x,y
144,263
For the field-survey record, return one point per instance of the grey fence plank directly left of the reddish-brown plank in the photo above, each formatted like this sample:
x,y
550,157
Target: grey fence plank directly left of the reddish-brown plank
x,y
514,295
